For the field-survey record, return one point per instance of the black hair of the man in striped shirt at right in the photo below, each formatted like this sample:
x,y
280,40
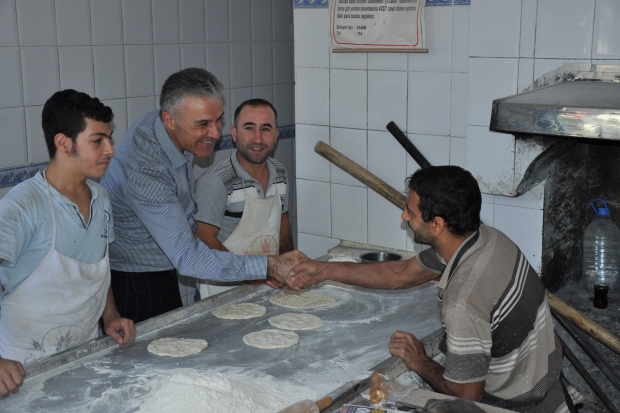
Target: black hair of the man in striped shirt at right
x,y
451,193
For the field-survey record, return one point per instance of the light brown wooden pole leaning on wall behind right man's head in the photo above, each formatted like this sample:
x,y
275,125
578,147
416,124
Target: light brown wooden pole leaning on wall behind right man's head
x,y
372,181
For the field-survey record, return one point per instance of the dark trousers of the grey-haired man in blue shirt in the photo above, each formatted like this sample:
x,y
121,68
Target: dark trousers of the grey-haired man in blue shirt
x,y
142,295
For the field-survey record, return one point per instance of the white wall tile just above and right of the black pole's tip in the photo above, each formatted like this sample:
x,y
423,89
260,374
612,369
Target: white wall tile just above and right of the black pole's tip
x,y
429,103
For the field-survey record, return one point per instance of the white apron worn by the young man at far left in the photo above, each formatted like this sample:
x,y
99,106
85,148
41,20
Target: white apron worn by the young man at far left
x,y
57,307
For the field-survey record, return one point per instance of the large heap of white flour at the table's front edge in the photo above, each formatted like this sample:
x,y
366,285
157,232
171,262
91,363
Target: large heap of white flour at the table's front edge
x,y
193,391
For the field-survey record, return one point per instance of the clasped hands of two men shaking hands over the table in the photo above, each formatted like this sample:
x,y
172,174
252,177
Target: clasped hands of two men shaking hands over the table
x,y
293,271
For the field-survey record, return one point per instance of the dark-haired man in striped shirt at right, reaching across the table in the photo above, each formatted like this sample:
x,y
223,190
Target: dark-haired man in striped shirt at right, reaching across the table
x,y
500,345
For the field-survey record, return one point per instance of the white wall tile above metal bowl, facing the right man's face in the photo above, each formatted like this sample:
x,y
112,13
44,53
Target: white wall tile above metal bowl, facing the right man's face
x,y
385,228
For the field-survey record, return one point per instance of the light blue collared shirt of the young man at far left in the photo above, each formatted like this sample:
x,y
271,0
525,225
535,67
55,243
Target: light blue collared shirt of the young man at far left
x,y
26,229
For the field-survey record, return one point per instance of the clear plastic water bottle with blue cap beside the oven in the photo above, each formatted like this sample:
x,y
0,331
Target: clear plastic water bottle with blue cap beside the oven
x,y
601,254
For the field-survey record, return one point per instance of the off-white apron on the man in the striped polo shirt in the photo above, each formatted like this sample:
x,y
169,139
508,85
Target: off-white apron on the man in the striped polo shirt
x,y
258,233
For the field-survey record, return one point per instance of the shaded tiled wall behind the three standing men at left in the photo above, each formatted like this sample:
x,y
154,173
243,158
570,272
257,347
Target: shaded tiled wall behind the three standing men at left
x,y
122,51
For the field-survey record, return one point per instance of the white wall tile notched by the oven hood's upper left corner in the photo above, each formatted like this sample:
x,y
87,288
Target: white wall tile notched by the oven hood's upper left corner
x,y
489,79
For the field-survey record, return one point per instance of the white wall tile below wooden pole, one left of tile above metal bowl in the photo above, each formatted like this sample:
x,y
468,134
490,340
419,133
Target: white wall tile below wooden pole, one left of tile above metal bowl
x,y
349,212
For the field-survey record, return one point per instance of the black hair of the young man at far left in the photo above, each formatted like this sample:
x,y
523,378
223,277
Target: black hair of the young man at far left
x,y
66,112
